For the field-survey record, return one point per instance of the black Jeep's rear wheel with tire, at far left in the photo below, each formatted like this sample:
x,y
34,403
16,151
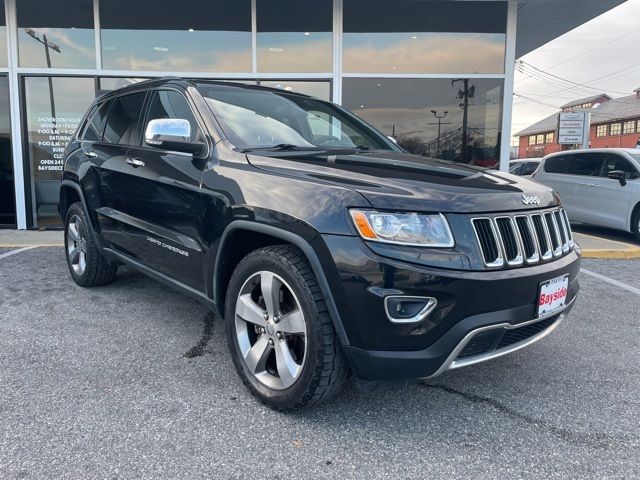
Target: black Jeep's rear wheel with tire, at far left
x,y
87,265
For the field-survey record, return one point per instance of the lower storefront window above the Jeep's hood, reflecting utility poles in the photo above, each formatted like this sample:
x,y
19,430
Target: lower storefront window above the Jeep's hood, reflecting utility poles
x,y
408,109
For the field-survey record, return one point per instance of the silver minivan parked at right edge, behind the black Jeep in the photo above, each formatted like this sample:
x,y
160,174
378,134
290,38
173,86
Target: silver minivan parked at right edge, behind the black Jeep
x,y
597,186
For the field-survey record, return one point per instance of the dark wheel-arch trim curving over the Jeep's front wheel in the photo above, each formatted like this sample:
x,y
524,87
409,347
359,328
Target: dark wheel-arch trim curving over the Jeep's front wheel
x,y
308,251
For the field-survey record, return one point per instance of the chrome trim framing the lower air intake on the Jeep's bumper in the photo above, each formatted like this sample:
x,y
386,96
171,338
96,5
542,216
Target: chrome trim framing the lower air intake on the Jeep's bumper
x,y
451,363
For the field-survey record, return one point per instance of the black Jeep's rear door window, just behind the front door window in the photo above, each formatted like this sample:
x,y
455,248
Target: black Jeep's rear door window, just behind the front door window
x,y
122,125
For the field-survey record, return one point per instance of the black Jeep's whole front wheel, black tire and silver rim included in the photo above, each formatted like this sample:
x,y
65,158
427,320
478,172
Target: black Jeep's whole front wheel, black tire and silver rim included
x,y
263,349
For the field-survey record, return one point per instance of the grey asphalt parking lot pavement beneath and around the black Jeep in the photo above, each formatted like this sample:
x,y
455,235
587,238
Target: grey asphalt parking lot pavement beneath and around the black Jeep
x,y
133,380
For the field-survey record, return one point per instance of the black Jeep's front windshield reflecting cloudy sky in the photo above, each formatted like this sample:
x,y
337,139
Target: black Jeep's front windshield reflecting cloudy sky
x,y
264,119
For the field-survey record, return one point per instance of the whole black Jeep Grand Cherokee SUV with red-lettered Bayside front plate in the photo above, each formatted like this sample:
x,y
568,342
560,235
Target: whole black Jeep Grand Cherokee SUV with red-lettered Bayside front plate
x,y
326,248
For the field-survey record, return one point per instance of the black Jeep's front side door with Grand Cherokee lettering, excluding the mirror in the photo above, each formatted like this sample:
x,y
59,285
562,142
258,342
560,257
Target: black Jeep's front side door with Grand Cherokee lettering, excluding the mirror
x,y
164,204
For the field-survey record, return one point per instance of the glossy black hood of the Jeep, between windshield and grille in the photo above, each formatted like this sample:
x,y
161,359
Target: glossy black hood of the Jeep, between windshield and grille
x,y
404,182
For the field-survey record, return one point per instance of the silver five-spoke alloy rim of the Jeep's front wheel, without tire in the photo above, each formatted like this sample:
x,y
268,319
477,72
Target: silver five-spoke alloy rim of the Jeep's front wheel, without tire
x,y
271,330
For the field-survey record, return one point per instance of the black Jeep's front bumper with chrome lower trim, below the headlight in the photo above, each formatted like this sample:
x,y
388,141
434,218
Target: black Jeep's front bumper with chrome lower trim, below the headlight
x,y
480,315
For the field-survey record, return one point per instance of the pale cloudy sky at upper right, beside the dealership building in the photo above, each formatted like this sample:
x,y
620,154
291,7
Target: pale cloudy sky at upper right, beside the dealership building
x,y
602,53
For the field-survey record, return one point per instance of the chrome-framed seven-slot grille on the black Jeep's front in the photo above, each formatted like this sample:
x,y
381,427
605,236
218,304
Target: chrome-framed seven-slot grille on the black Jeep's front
x,y
519,238
